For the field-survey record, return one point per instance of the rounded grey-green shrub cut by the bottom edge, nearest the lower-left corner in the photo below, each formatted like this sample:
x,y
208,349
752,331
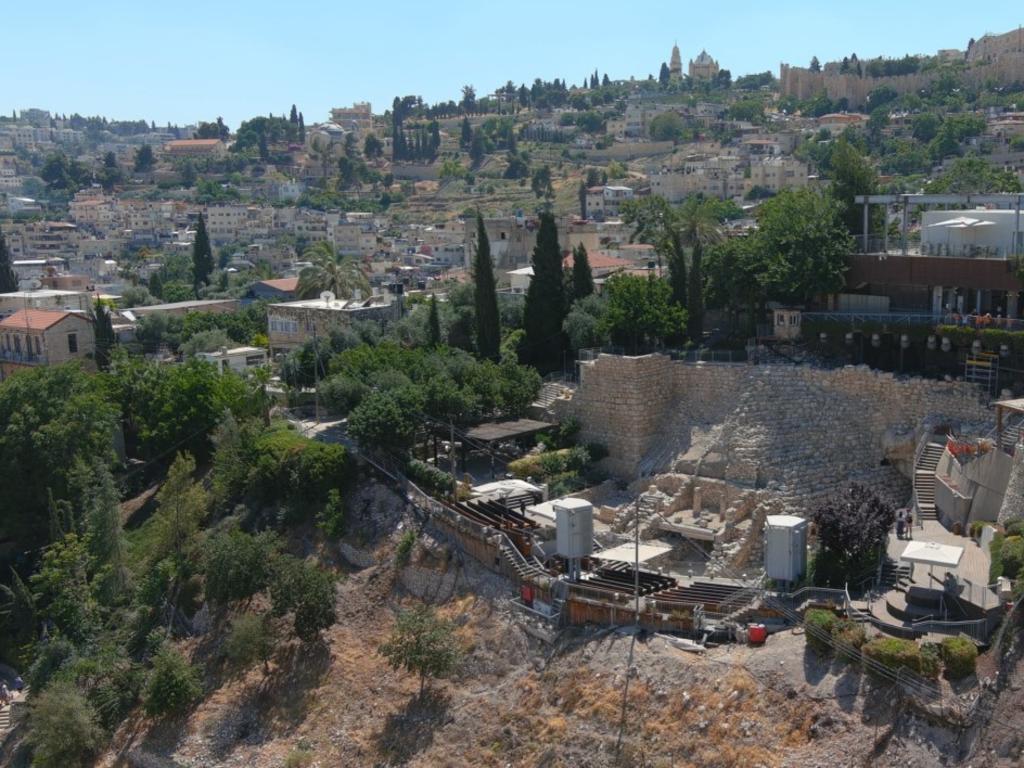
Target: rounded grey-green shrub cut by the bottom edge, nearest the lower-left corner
x,y
64,729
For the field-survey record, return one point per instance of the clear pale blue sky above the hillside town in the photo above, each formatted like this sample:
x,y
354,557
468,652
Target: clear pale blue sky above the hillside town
x,y
190,61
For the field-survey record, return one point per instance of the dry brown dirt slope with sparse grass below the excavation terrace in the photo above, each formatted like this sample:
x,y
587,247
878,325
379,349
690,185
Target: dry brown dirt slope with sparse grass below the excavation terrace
x,y
519,702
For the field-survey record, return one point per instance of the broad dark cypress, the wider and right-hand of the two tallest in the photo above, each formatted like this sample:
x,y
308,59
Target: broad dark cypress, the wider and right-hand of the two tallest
x,y
545,306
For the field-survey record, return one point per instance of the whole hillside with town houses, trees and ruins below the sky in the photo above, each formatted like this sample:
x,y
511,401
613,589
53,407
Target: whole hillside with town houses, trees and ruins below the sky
x,y
675,419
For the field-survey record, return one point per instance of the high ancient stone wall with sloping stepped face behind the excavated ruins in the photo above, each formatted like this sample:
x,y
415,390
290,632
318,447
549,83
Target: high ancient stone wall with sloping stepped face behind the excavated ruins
x,y
801,432
